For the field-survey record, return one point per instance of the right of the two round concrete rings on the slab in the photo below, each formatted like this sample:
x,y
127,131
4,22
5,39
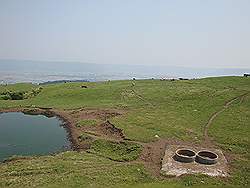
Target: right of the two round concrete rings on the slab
x,y
206,157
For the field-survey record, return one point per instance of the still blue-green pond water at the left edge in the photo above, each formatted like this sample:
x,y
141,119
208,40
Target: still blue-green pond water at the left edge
x,y
22,134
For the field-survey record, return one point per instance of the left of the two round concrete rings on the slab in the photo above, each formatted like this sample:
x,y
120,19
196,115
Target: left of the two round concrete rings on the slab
x,y
185,155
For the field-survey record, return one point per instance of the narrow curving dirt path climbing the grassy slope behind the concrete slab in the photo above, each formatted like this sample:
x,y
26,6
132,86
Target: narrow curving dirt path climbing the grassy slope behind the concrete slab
x,y
207,140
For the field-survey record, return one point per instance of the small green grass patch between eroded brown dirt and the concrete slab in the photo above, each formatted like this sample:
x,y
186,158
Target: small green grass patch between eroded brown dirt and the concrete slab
x,y
117,151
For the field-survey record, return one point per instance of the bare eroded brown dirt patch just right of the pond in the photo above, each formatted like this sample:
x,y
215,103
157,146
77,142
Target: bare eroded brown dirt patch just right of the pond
x,y
102,130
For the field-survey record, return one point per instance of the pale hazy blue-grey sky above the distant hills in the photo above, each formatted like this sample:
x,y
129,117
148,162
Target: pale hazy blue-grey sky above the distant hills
x,y
193,33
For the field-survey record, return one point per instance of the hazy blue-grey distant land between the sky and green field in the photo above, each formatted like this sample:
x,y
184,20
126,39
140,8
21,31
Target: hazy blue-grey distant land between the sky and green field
x,y
42,71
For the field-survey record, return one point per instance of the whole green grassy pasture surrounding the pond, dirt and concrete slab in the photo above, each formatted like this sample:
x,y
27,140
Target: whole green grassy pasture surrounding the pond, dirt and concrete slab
x,y
170,109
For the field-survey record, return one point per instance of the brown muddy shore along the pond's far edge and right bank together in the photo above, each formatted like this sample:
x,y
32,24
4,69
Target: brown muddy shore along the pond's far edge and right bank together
x,y
71,118
